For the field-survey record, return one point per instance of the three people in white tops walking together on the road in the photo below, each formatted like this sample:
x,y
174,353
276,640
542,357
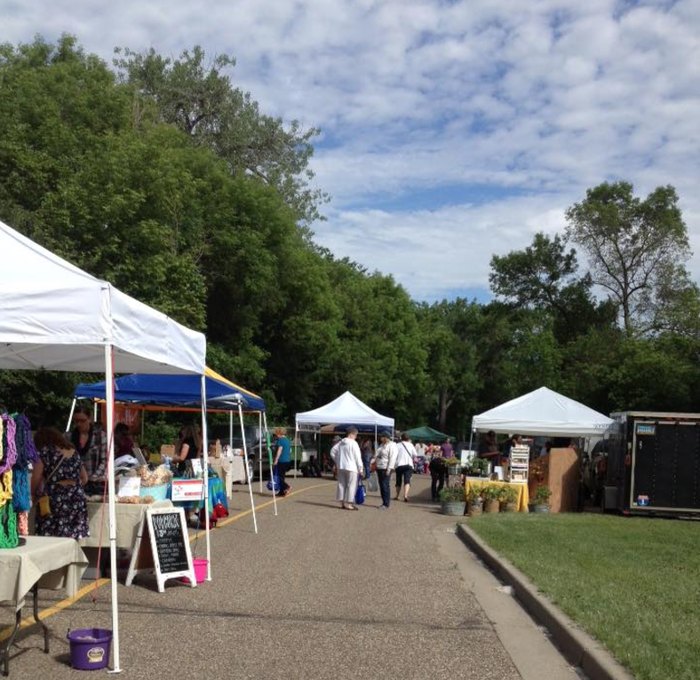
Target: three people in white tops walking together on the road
x,y
354,464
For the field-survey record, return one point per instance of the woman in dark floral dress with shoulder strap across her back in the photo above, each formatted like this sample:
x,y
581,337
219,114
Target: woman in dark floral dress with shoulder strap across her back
x,y
61,475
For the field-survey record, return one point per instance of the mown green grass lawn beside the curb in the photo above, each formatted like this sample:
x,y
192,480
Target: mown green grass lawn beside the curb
x,y
633,583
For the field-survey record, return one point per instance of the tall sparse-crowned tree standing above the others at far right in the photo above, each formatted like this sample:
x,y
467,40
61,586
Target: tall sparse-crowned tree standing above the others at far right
x,y
636,248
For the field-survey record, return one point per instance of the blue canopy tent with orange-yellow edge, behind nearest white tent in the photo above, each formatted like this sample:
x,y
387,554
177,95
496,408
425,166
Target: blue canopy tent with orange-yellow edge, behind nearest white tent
x,y
184,391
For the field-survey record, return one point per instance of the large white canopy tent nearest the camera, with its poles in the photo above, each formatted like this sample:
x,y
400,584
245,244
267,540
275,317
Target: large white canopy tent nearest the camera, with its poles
x,y
57,317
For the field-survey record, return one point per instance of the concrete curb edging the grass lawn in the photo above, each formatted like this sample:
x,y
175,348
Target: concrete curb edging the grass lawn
x,y
579,648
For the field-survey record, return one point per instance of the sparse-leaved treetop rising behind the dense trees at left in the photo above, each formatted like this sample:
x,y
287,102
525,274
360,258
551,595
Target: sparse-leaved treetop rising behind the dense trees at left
x,y
199,98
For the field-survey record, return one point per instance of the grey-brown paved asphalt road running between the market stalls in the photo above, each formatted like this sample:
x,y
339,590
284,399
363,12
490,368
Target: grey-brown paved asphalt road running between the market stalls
x,y
318,593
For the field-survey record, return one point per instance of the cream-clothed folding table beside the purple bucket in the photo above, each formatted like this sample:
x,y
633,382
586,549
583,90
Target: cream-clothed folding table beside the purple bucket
x,y
41,562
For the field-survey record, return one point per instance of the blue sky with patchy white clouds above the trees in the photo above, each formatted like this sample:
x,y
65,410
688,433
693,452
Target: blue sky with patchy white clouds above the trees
x,y
450,130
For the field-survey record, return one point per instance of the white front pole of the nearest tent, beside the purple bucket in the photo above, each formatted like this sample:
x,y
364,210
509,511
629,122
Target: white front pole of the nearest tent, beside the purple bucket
x,y
109,389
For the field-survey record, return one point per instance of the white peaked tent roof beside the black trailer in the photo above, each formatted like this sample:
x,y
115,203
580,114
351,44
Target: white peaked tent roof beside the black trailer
x,y
543,412
